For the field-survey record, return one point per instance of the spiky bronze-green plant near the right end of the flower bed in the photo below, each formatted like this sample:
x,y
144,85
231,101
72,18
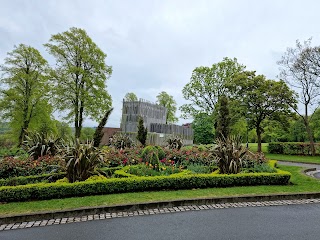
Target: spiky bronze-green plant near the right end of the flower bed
x,y
229,154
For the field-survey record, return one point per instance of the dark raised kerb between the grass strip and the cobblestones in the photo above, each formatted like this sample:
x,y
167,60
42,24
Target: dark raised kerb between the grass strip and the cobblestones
x,y
152,205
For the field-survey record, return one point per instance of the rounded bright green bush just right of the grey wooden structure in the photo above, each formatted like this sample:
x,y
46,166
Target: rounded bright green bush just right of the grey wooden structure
x,y
203,128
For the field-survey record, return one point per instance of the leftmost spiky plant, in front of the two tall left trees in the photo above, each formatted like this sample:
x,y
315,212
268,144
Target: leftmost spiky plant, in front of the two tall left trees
x,y
39,145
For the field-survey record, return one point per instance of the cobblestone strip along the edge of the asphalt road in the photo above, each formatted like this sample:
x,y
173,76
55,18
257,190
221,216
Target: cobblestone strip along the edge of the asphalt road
x,y
119,214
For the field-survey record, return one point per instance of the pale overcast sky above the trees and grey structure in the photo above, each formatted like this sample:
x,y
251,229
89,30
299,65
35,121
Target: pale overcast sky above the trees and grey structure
x,y
153,46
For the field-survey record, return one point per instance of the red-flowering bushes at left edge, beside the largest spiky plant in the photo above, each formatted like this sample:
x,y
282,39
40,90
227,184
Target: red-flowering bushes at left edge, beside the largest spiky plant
x,y
14,167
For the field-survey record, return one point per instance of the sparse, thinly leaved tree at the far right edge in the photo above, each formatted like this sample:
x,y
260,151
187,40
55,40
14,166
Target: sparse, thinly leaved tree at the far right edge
x,y
300,71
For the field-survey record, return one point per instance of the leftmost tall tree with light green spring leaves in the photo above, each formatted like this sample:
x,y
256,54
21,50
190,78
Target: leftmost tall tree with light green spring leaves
x,y
25,88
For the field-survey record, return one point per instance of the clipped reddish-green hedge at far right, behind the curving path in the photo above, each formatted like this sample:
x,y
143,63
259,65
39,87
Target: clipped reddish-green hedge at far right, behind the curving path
x,y
290,148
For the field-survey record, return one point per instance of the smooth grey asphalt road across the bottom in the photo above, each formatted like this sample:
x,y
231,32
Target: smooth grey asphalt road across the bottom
x,y
276,222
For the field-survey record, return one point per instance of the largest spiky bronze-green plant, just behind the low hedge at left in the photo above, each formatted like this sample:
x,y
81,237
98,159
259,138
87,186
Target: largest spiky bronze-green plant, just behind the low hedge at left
x,y
81,161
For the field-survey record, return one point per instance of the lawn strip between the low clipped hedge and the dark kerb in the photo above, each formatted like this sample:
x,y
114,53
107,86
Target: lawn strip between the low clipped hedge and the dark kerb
x,y
300,183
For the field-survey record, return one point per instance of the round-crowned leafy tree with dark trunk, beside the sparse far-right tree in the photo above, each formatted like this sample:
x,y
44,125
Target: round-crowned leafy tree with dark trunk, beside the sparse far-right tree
x,y
262,99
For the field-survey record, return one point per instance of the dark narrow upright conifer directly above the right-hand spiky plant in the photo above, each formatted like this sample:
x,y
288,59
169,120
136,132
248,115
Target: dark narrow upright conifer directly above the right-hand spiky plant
x,y
223,121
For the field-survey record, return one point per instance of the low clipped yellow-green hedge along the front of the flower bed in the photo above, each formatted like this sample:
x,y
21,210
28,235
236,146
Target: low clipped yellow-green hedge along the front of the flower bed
x,y
135,184
